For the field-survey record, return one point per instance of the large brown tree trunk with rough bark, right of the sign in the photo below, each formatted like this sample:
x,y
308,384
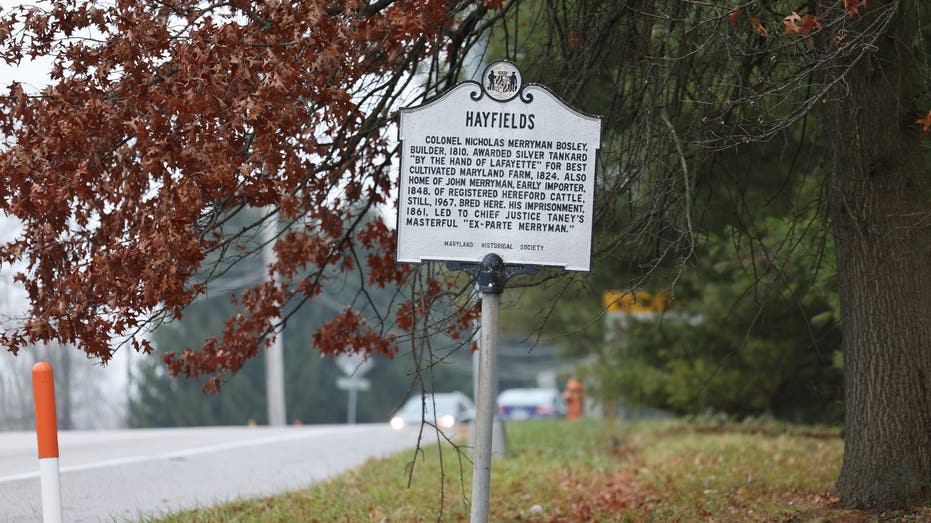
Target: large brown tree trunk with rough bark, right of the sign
x,y
880,207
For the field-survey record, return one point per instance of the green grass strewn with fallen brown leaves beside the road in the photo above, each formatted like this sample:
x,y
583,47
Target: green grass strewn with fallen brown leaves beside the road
x,y
590,470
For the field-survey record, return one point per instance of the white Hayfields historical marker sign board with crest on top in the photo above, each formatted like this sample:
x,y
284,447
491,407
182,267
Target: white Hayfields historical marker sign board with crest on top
x,y
497,167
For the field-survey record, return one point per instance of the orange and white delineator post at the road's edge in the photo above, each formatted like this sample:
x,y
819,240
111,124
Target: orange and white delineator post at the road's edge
x,y
43,390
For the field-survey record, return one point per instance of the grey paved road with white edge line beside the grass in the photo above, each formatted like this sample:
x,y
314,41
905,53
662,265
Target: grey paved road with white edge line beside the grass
x,y
121,475
